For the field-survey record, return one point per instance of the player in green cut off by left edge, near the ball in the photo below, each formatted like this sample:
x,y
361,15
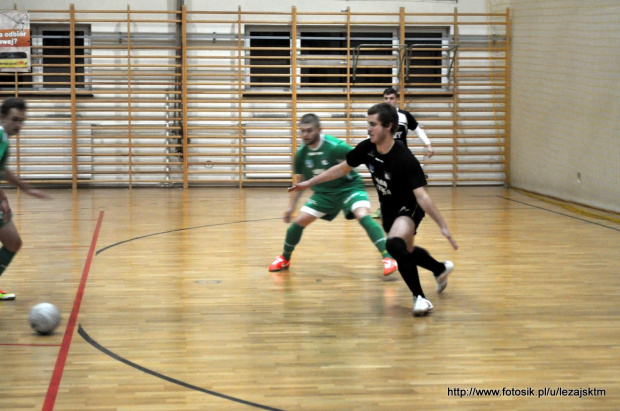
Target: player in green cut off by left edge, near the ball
x,y
12,117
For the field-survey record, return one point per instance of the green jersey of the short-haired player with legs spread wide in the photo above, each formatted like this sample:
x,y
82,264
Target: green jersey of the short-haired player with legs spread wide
x,y
310,162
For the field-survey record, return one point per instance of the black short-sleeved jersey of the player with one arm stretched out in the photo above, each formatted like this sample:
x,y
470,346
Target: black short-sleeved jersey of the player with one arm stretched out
x,y
395,174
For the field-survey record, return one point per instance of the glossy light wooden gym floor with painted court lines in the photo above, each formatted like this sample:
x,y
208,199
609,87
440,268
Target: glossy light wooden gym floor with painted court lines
x,y
179,312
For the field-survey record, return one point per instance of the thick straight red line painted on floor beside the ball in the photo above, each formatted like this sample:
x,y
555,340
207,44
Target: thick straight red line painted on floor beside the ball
x,y
52,390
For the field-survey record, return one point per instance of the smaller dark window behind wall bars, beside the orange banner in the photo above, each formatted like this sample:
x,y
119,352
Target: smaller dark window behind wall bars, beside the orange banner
x,y
51,59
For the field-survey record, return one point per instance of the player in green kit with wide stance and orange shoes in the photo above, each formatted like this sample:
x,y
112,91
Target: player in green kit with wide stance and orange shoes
x,y
347,193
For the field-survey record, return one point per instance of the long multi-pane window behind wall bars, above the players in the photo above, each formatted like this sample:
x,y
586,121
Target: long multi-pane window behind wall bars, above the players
x,y
374,54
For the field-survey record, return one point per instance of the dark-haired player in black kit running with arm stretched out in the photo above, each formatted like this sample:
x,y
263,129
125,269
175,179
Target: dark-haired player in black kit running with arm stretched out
x,y
399,180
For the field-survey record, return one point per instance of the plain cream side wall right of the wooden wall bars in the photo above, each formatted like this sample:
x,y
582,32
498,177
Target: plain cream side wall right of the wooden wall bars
x,y
566,99
